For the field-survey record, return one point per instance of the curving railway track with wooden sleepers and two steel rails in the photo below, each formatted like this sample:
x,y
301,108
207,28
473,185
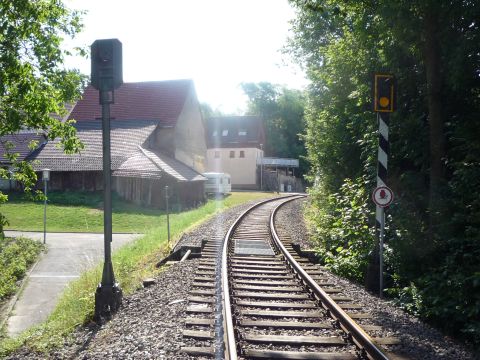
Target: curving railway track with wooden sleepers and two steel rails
x,y
256,298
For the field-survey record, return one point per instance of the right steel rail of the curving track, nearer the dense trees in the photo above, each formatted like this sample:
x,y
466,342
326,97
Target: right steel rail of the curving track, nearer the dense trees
x,y
359,336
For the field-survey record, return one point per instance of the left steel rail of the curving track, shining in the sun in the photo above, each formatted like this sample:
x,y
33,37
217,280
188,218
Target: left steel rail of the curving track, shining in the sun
x,y
229,333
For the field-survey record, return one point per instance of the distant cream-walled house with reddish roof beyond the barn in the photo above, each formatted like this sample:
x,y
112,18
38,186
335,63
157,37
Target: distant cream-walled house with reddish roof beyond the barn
x,y
235,146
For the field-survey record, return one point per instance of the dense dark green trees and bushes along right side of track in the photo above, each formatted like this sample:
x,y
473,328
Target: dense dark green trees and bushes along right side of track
x,y
433,231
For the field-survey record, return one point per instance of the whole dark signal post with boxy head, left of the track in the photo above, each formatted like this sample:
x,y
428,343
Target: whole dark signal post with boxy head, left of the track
x,y
106,73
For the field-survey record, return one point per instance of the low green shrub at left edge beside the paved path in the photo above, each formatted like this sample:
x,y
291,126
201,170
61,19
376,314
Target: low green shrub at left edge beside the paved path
x,y
16,256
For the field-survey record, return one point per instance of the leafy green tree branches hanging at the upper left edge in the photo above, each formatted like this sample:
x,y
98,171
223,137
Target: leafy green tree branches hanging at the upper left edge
x,y
34,84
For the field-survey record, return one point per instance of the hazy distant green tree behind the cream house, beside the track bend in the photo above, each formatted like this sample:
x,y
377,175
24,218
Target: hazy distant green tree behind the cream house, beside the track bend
x,y
282,112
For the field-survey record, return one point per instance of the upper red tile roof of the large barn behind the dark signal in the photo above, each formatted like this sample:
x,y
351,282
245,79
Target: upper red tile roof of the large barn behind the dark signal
x,y
154,100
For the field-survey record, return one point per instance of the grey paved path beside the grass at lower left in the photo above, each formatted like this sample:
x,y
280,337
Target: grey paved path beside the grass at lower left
x,y
67,256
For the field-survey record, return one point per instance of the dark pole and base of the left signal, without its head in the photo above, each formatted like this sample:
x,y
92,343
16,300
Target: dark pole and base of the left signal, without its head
x,y
109,295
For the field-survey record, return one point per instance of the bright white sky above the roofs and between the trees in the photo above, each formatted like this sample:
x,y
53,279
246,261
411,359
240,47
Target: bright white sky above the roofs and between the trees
x,y
217,43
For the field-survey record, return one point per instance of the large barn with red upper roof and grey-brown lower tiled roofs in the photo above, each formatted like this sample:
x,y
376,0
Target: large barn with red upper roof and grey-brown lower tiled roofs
x,y
157,139
